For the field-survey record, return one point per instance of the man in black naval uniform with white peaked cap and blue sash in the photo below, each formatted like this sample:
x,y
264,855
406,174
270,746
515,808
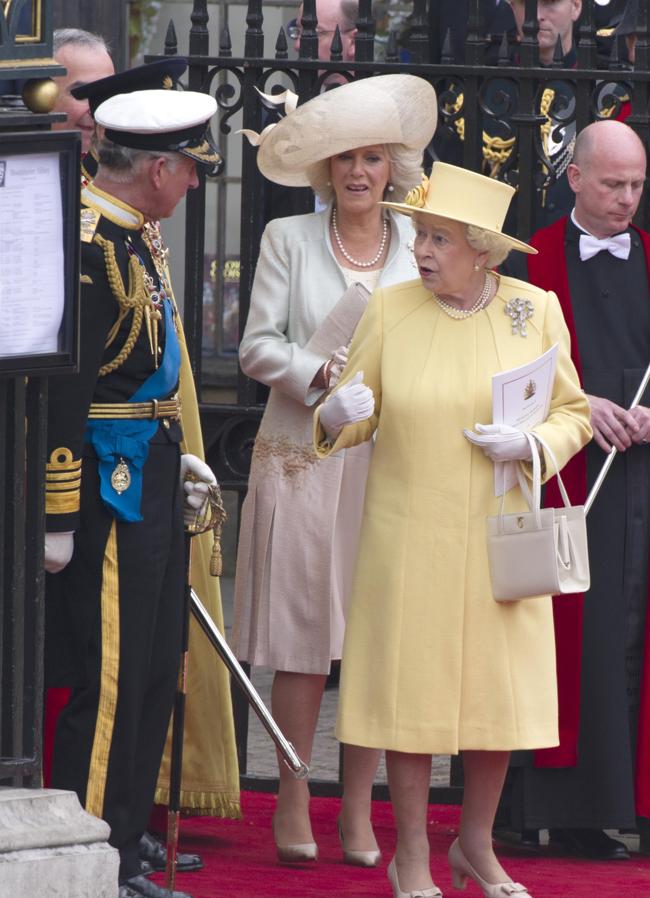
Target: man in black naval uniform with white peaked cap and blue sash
x,y
117,485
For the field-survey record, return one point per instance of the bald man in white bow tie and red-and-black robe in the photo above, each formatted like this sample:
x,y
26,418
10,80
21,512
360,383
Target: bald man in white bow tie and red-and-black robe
x,y
599,265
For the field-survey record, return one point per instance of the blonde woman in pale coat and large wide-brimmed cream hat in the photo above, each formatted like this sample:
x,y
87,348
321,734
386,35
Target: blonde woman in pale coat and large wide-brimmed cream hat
x,y
301,518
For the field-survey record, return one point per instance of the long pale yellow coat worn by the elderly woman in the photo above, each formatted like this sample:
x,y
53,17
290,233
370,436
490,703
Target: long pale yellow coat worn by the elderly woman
x,y
431,663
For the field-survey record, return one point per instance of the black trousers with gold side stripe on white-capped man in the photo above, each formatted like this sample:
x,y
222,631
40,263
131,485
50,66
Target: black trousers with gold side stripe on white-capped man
x,y
123,592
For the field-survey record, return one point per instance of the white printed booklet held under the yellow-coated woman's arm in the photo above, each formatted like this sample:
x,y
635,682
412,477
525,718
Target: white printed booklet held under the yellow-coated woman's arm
x,y
521,397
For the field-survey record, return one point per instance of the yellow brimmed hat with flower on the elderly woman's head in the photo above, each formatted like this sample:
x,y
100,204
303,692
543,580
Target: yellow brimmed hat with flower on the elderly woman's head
x,y
462,195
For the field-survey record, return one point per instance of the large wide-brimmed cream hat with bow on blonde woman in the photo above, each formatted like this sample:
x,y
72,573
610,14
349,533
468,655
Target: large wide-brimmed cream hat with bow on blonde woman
x,y
384,109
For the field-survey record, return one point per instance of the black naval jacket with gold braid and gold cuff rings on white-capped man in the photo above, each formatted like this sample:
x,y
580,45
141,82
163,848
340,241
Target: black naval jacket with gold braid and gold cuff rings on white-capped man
x,y
116,355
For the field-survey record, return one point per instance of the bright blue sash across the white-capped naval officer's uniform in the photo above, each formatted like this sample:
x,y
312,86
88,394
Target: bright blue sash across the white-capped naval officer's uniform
x,y
128,440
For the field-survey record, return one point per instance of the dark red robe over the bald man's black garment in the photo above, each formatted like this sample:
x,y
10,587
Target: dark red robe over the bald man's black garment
x,y
548,271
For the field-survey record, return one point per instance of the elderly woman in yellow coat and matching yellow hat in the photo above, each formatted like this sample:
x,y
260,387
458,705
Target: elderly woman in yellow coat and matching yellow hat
x,y
432,663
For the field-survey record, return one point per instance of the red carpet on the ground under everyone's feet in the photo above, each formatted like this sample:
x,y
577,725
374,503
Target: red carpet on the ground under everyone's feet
x,y
240,861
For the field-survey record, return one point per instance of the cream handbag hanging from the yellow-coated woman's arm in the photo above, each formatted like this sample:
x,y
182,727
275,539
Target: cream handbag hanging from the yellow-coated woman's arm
x,y
540,552
